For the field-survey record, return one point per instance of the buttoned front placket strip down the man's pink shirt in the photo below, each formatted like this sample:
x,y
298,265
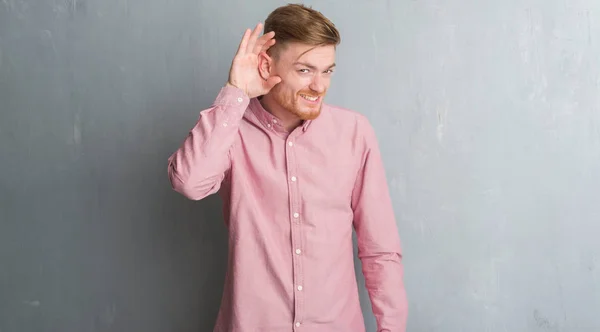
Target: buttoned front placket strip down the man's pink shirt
x,y
296,228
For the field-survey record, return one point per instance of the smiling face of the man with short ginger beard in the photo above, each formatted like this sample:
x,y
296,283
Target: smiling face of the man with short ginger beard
x,y
305,73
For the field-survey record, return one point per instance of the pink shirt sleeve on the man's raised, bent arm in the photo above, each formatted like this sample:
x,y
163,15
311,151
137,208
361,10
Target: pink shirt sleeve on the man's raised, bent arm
x,y
198,167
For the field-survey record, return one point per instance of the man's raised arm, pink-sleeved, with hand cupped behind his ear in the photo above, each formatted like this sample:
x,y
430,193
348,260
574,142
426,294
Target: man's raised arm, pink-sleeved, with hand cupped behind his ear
x,y
199,166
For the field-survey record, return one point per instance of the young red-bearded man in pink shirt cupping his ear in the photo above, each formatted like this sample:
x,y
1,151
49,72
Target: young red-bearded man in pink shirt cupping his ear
x,y
296,175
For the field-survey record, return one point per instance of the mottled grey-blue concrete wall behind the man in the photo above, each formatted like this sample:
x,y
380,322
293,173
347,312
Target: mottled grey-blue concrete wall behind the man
x,y
488,114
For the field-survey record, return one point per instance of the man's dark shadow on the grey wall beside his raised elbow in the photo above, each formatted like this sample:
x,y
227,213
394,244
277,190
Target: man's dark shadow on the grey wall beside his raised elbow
x,y
194,233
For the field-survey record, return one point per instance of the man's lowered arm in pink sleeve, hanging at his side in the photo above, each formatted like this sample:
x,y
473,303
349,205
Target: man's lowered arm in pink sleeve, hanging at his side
x,y
378,240
